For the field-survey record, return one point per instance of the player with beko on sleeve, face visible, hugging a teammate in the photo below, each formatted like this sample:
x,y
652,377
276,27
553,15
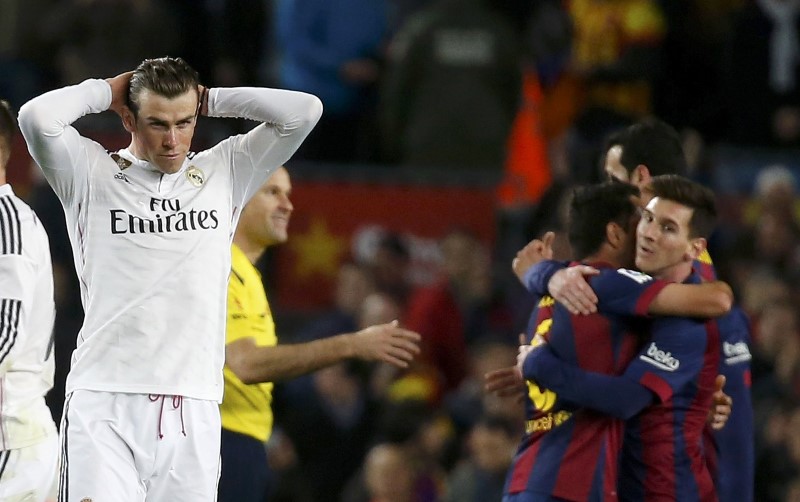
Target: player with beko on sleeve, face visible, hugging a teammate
x,y
671,382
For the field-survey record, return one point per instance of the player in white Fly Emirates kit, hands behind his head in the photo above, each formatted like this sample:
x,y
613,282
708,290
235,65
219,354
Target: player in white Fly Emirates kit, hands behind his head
x,y
151,228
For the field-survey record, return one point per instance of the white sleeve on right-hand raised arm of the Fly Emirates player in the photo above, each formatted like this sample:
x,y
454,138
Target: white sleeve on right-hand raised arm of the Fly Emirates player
x,y
287,116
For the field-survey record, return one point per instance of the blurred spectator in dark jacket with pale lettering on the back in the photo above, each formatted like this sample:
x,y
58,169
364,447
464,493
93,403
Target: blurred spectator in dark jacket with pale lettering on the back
x,y
451,89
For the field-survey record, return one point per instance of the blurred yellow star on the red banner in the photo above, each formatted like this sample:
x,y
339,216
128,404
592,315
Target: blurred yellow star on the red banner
x,y
318,250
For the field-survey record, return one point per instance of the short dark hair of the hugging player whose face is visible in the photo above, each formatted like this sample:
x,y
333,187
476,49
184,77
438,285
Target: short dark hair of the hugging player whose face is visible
x,y
690,194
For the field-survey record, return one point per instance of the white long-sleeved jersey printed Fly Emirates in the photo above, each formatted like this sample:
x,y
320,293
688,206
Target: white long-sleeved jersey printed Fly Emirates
x,y
152,250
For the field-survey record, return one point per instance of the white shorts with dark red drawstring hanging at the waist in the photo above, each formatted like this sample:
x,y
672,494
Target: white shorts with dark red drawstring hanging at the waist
x,y
138,447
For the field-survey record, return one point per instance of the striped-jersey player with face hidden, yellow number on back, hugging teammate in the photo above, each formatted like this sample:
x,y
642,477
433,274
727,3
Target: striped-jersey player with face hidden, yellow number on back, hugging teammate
x,y
570,453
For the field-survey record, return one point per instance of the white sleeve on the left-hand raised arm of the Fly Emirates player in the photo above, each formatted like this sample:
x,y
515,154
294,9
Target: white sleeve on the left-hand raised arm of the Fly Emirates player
x,y
62,153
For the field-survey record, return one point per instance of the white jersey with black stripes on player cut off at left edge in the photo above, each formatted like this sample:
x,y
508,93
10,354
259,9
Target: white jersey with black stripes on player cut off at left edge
x,y
27,311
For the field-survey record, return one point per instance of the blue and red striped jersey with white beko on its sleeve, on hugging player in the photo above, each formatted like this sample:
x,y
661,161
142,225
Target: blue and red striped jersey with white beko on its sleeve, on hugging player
x,y
663,454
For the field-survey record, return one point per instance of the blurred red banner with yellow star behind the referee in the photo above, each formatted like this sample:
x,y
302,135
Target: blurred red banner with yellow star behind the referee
x,y
337,221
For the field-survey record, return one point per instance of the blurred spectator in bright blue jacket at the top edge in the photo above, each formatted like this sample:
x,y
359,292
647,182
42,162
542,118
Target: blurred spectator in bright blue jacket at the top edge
x,y
333,52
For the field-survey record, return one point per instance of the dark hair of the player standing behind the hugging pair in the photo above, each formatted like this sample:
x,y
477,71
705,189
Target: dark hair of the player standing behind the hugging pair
x,y
653,143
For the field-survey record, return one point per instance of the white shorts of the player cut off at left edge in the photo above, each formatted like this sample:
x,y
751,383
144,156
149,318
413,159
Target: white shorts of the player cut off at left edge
x,y
28,474
